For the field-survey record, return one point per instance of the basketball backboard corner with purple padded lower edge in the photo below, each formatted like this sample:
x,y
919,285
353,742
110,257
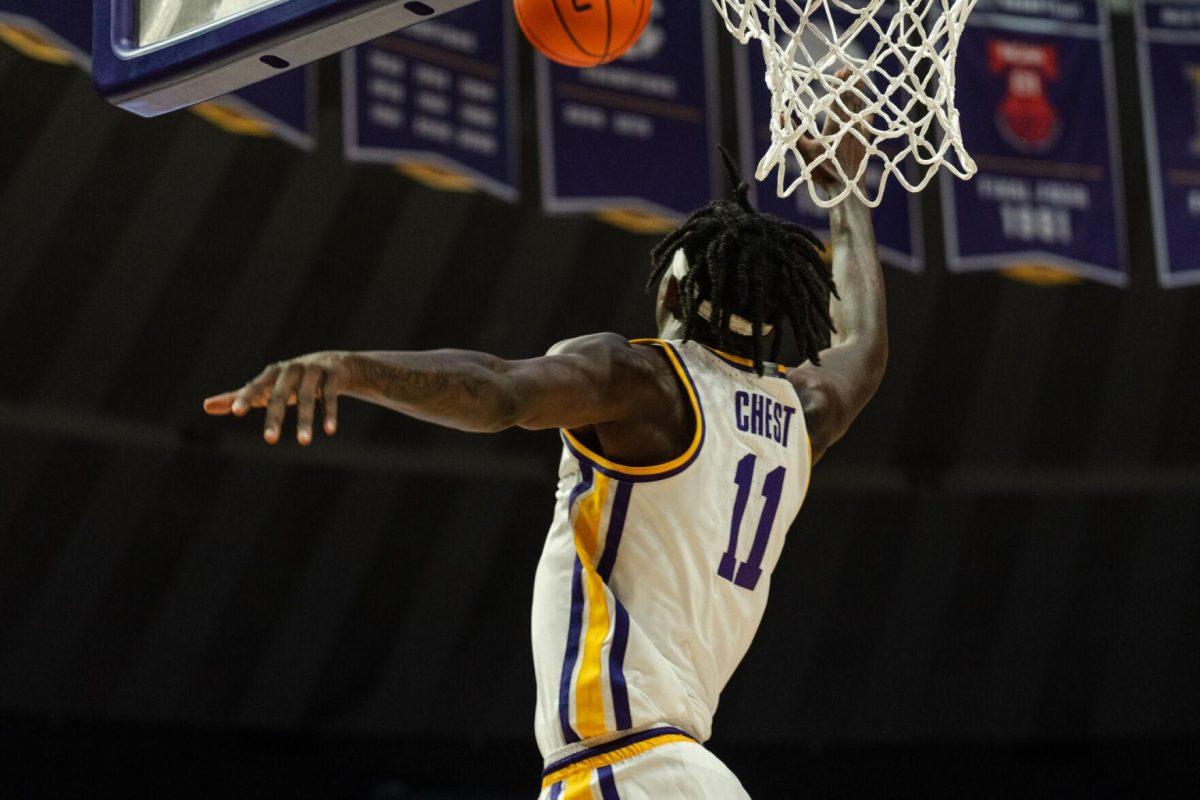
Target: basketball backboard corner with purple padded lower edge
x,y
153,57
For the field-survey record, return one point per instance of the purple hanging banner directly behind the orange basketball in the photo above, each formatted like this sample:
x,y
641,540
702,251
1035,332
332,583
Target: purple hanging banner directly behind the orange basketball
x,y
635,140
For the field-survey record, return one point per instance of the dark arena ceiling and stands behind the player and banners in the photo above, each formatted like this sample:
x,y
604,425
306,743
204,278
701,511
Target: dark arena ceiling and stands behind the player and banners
x,y
993,591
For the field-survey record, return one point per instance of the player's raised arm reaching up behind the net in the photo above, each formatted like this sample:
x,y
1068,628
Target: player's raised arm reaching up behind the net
x,y
853,369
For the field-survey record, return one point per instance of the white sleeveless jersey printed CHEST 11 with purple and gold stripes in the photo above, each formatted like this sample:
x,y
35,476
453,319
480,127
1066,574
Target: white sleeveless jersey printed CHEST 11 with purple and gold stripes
x,y
653,580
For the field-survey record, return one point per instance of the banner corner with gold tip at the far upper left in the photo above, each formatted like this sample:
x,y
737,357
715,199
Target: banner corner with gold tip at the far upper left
x,y
59,33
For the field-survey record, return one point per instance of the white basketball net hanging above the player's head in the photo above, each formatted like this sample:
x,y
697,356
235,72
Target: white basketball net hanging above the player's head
x,y
901,56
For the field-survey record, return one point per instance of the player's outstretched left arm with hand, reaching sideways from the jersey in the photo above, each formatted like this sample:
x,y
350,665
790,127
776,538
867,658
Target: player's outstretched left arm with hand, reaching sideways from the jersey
x,y
591,381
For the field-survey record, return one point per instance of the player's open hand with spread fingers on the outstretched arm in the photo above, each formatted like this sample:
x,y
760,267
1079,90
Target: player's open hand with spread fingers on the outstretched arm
x,y
298,382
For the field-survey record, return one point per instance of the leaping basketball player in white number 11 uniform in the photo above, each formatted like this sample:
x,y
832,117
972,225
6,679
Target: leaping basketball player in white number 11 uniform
x,y
686,460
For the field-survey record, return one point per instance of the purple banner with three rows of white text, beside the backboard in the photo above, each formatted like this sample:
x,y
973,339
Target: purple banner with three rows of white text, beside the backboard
x,y
439,100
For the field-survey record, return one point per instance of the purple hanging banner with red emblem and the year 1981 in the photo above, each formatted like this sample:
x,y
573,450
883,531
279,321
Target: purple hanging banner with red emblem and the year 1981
x,y
1035,91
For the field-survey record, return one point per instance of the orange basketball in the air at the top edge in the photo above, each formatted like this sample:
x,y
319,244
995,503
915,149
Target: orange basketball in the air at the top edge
x,y
583,33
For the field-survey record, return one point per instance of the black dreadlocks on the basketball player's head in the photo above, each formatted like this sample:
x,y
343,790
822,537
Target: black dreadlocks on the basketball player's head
x,y
751,264
